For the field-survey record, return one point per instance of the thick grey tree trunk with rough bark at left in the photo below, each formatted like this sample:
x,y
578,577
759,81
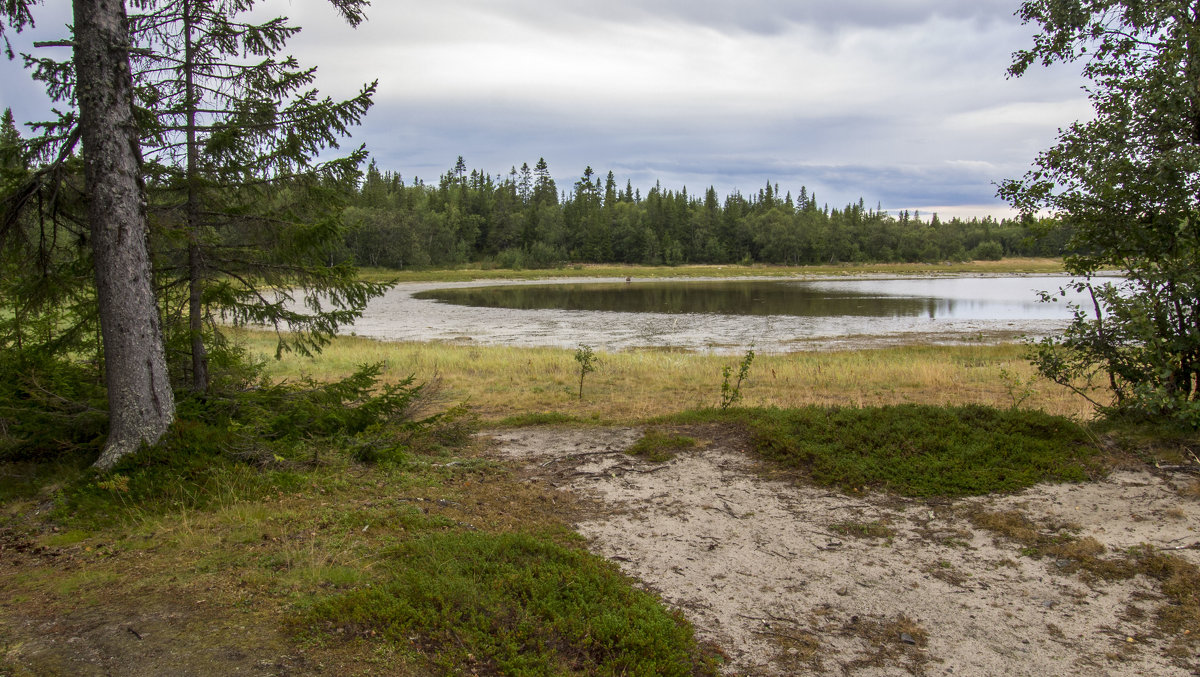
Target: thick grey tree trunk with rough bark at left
x,y
141,403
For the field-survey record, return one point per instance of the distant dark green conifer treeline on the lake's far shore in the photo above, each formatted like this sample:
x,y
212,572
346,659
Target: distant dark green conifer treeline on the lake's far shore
x,y
524,220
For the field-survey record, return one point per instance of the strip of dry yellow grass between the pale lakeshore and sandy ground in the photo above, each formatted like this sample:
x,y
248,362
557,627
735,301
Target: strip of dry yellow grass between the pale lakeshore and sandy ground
x,y
500,382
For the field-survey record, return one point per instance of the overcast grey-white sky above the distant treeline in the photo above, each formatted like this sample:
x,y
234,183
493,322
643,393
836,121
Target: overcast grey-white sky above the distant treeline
x,y
902,103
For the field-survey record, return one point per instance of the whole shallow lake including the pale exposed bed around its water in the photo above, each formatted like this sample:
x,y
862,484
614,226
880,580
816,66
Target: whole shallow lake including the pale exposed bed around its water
x,y
724,316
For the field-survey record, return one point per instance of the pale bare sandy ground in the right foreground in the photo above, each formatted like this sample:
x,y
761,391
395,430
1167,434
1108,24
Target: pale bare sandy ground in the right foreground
x,y
773,573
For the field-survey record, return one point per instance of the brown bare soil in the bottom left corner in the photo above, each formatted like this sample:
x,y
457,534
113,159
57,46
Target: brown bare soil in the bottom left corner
x,y
106,631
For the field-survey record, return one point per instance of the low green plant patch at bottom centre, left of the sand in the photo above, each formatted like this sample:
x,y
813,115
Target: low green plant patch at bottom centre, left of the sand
x,y
514,604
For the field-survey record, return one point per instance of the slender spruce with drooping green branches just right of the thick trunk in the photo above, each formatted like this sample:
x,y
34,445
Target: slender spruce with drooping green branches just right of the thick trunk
x,y
247,217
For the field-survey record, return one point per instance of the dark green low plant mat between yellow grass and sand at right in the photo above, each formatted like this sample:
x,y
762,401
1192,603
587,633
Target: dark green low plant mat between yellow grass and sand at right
x,y
921,451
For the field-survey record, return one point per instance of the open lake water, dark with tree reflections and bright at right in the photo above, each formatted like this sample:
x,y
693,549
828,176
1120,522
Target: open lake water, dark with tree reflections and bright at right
x,y
934,298
